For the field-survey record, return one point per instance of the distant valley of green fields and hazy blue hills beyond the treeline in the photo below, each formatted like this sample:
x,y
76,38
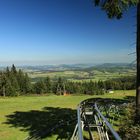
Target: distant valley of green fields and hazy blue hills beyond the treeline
x,y
81,72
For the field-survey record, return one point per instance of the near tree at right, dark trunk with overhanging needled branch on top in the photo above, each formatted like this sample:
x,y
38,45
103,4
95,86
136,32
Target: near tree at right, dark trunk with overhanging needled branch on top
x,y
116,8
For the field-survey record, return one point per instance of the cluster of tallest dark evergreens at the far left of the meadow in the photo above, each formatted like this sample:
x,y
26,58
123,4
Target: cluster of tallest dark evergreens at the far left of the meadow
x,y
13,82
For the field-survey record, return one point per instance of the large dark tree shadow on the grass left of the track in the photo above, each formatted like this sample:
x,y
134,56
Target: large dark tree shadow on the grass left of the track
x,y
42,124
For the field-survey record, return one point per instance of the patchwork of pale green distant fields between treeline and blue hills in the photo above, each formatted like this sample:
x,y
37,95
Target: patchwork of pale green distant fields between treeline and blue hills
x,y
77,75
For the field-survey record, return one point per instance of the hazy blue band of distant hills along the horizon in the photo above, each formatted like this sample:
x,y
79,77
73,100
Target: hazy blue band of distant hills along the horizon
x,y
83,67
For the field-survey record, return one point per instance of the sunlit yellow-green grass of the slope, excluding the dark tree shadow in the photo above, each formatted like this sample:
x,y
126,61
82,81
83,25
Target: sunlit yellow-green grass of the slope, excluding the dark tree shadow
x,y
24,104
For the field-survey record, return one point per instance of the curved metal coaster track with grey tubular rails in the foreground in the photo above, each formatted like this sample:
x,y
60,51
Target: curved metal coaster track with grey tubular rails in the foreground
x,y
91,118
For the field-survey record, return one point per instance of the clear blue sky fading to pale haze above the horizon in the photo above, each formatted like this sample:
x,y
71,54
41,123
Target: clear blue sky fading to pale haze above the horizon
x,y
63,32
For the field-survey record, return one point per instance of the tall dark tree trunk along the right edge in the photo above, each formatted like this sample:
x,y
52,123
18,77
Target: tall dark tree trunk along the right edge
x,y
138,65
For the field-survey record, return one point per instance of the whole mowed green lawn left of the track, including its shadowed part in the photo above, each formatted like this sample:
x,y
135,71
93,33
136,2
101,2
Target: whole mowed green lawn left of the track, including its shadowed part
x,y
21,117
